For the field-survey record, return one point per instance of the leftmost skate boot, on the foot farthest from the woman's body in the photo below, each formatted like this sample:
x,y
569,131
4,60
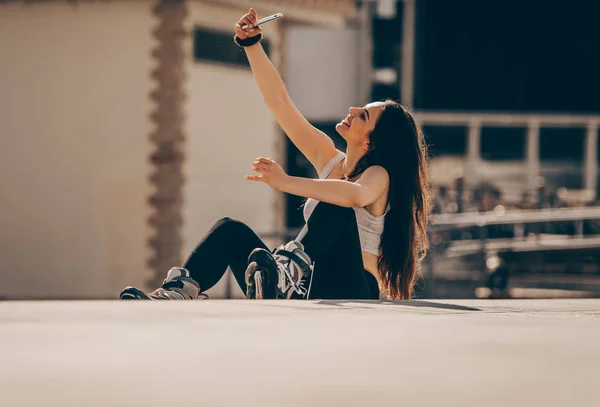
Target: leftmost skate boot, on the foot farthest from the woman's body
x,y
177,286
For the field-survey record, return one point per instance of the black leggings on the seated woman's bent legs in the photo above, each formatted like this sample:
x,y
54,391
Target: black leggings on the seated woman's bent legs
x,y
331,240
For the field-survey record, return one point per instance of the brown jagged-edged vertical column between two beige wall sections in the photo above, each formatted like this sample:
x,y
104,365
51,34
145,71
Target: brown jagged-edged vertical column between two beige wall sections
x,y
167,137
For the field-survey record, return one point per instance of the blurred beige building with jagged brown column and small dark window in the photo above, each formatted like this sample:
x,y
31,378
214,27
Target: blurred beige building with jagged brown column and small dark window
x,y
126,130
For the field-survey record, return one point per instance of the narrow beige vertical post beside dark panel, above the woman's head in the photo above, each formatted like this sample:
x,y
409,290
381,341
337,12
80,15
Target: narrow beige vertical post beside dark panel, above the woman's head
x,y
407,76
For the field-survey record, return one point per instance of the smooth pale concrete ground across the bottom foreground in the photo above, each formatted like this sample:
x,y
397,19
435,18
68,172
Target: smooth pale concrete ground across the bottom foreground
x,y
292,353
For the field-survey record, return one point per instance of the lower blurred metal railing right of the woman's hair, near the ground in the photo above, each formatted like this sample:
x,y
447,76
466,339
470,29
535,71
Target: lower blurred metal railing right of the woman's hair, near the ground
x,y
481,257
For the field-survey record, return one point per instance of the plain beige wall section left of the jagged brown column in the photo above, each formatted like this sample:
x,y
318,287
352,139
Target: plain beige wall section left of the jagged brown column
x,y
74,83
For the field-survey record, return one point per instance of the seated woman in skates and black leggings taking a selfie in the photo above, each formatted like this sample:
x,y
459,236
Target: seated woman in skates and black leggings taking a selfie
x,y
366,214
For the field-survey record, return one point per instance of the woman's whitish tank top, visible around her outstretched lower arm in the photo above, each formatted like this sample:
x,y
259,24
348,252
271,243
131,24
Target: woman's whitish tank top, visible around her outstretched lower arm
x,y
370,227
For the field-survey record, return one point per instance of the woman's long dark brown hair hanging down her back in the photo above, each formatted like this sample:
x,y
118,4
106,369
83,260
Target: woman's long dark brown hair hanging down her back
x,y
398,145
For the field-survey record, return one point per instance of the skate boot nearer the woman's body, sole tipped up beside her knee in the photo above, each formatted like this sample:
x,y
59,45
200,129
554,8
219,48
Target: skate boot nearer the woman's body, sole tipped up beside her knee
x,y
285,274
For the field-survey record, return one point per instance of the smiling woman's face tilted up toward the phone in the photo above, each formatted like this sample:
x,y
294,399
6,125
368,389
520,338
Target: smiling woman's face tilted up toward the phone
x,y
359,123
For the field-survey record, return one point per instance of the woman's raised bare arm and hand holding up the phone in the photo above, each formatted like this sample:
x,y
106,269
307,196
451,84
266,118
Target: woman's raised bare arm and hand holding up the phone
x,y
316,146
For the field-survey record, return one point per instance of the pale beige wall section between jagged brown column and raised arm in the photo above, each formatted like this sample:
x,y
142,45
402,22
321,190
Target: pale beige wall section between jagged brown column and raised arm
x,y
227,127
